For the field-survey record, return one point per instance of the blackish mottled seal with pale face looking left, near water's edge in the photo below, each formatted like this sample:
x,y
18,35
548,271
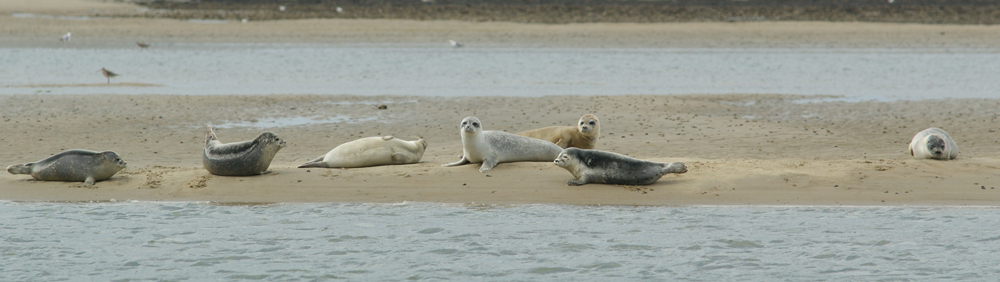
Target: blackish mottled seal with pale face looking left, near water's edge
x,y
594,166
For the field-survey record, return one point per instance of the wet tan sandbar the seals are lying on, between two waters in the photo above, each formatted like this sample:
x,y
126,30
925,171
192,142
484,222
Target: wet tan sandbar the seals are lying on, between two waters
x,y
731,160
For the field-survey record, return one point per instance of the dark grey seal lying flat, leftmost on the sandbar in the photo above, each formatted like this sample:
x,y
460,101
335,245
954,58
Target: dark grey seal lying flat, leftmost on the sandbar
x,y
73,165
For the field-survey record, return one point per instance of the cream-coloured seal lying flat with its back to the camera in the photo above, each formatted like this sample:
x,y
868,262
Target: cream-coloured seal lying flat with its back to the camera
x,y
371,151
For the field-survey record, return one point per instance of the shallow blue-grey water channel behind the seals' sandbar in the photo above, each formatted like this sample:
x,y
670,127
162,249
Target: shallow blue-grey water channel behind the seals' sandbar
x,y
207,69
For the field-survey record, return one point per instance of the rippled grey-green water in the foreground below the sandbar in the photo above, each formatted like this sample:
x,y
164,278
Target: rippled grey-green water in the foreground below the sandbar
x,y
415,241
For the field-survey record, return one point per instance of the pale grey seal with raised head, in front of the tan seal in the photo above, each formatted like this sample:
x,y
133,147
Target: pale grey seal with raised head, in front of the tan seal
x,y
494,147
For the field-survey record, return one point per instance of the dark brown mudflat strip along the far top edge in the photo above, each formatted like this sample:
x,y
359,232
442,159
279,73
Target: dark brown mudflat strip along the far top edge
x,y
576,11
